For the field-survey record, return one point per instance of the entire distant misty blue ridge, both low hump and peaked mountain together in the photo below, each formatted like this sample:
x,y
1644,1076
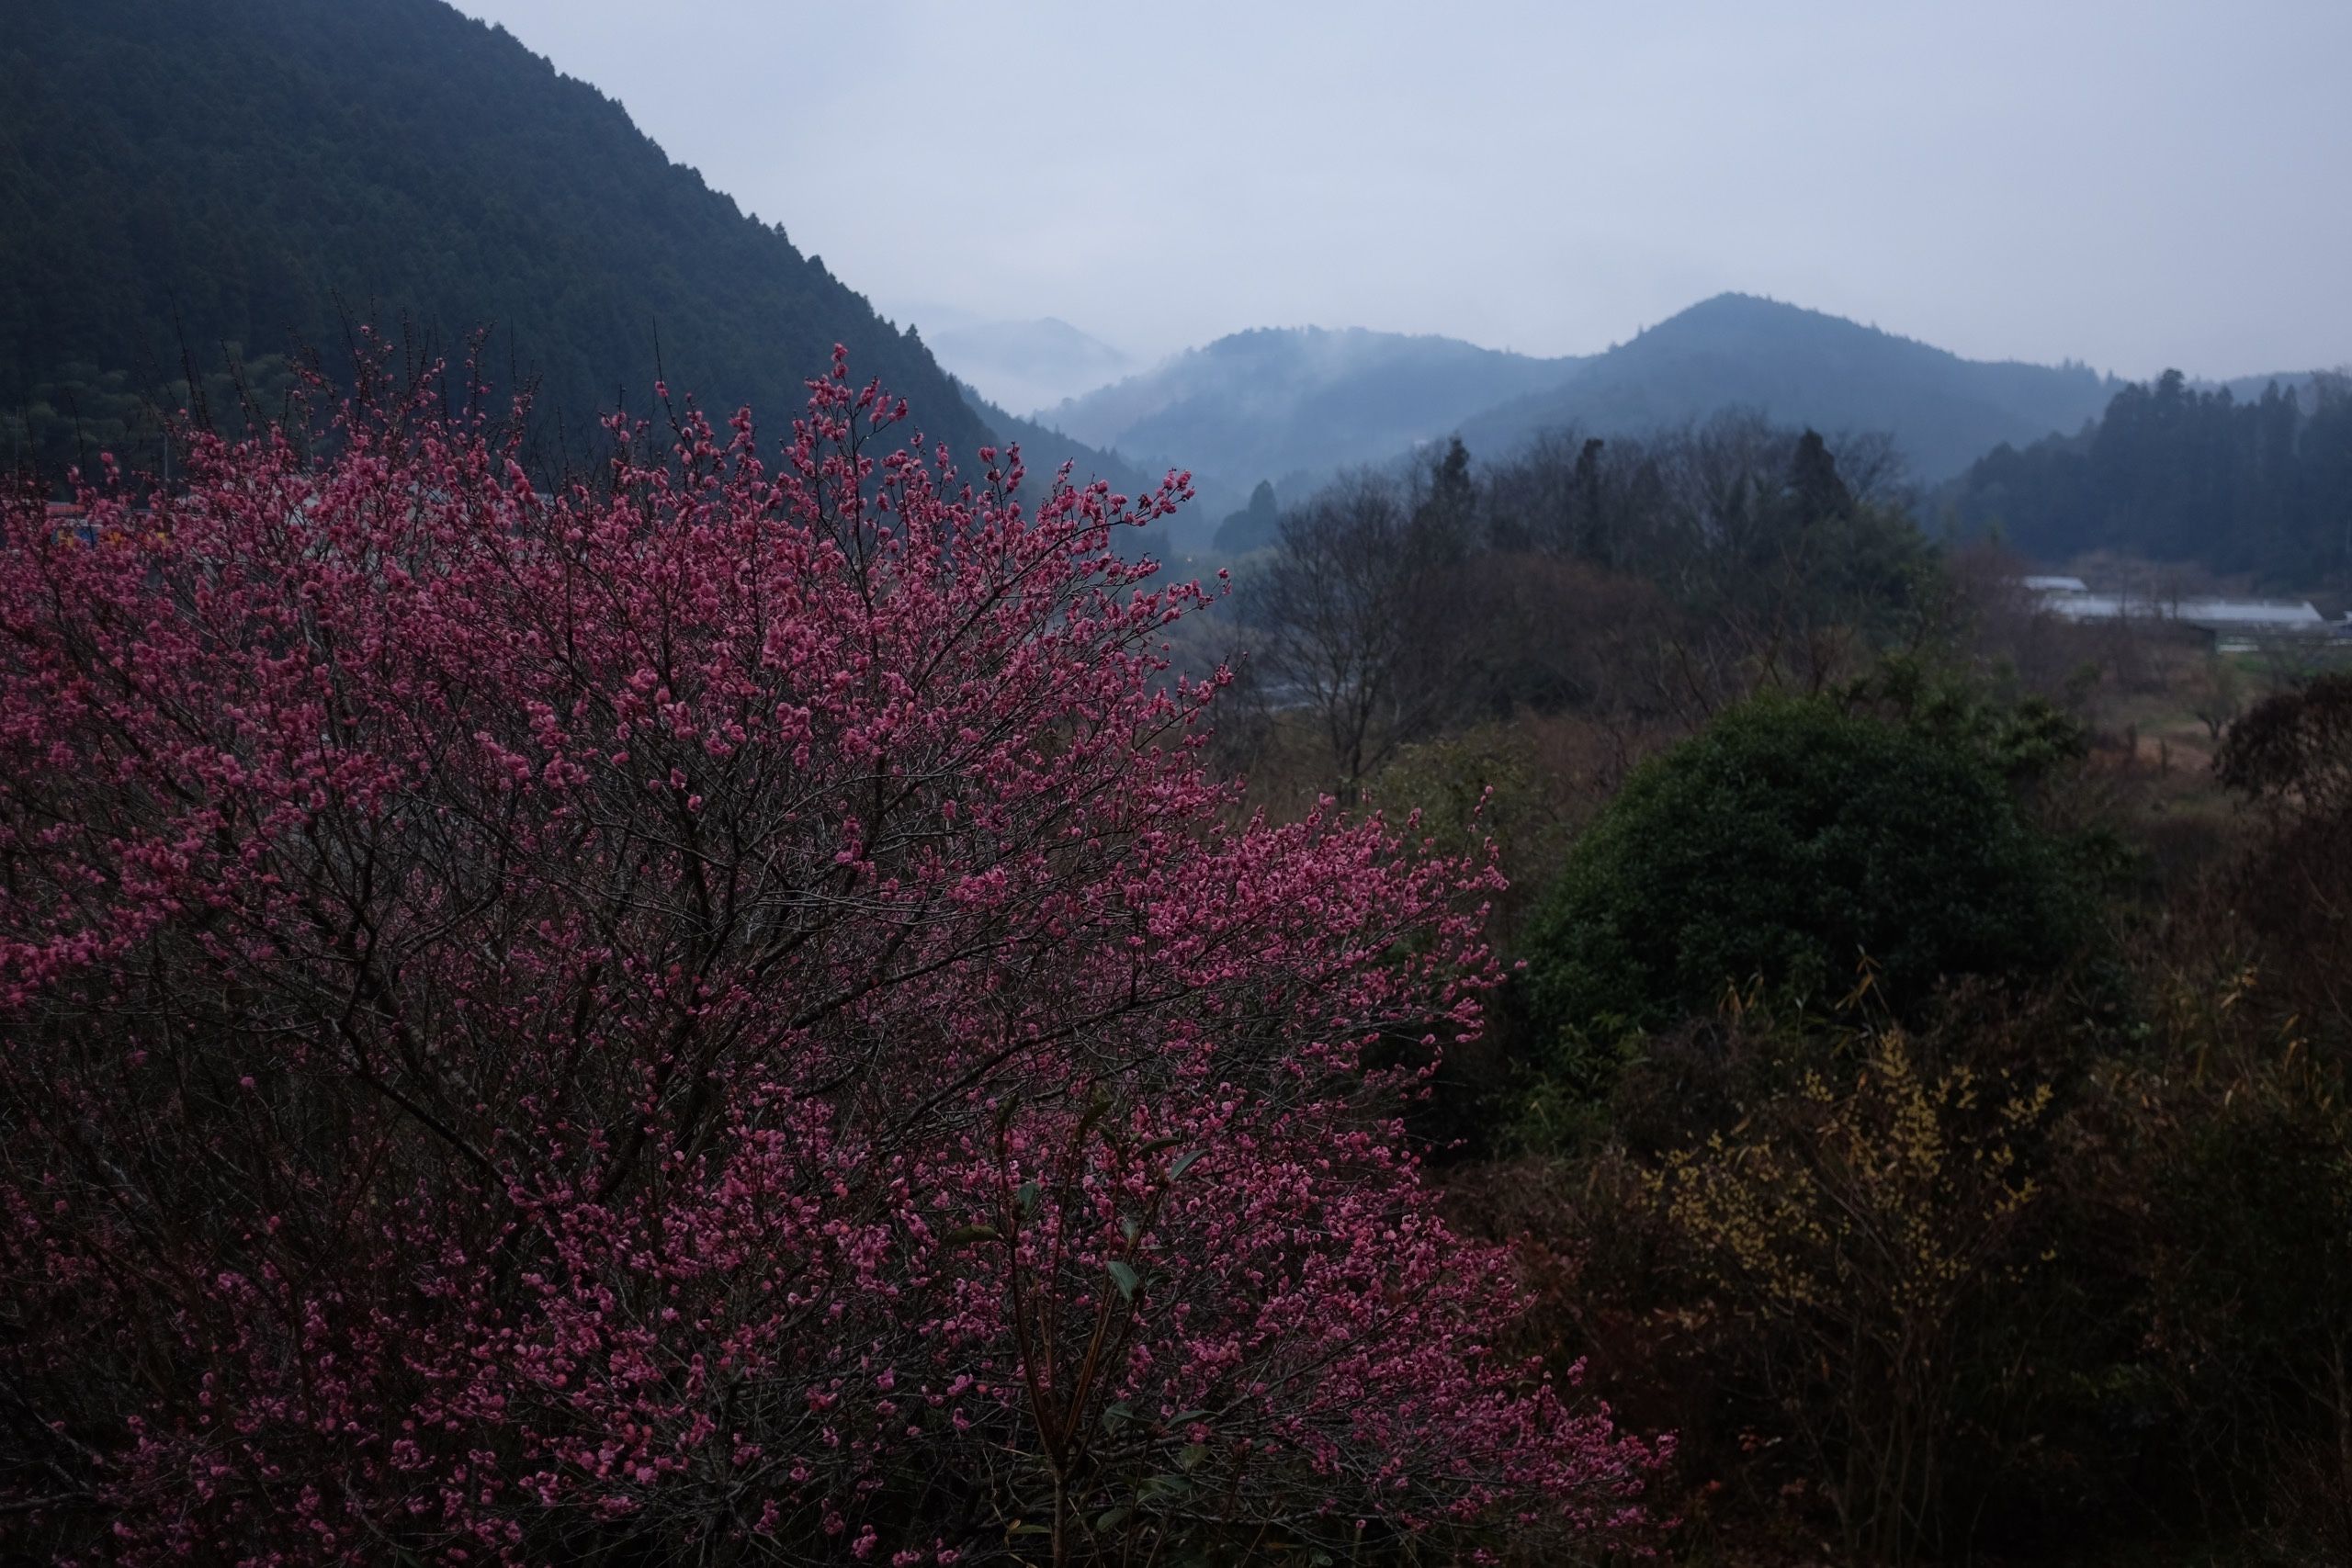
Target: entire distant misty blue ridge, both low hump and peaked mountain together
x,y
1295,406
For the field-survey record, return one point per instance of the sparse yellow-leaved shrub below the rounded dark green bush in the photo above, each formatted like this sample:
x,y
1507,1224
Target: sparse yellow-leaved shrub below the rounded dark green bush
x,y
1845,1235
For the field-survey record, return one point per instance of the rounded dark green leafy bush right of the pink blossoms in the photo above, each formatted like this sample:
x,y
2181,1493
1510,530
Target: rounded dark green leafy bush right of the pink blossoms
x,y
1789,845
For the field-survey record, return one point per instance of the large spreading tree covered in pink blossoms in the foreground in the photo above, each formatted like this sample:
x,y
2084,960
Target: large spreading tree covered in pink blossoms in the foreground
x,y
707,1017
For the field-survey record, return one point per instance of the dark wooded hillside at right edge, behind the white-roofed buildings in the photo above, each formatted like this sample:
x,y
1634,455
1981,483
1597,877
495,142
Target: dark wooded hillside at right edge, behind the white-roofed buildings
x,y
2257,488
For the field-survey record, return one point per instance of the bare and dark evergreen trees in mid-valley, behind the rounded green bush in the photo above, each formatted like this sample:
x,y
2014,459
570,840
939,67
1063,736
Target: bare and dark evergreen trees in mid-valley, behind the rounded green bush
x,y
1626,575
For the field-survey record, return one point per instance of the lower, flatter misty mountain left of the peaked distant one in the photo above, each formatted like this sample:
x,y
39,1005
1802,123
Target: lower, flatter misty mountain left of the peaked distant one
x,y
1292,406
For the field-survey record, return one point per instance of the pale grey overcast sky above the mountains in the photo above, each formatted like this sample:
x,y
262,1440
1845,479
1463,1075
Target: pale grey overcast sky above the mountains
x,y
2130,185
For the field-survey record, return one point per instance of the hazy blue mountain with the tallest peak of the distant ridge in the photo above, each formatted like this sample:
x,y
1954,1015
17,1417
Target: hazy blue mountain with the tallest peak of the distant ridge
x,y
1803,368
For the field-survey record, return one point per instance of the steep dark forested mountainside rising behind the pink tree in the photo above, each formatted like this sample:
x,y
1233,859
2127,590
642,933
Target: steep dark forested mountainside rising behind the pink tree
x,y
262,175
